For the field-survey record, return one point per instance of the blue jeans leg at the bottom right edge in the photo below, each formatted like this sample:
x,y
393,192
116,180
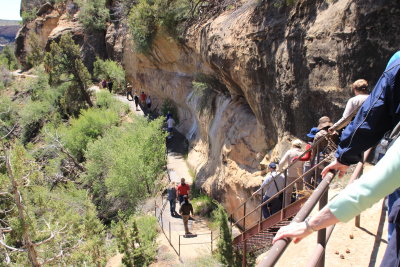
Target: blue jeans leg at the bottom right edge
x,y
392,253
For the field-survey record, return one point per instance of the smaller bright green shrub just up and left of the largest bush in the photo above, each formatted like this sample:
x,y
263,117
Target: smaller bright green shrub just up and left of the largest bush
x,y
90,125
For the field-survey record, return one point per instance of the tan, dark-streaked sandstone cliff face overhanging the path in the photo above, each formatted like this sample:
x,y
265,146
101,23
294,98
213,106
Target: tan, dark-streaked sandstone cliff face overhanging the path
x,y
281,68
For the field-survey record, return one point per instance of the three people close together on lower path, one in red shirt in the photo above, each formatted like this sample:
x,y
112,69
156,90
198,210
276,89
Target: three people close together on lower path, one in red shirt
x,y
180,193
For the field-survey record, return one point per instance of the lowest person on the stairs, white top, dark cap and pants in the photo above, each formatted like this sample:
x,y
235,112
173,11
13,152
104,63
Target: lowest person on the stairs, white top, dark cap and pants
x,y
272,184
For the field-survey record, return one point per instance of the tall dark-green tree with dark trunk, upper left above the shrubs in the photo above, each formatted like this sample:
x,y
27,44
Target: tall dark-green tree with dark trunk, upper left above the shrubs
x,y
64,63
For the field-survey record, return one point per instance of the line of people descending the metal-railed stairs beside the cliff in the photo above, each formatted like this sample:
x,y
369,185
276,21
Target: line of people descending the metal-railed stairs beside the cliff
x,y
294,164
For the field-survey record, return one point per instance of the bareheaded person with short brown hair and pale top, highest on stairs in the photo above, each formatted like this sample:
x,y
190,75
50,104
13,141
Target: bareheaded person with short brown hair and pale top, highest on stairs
x,y
360,90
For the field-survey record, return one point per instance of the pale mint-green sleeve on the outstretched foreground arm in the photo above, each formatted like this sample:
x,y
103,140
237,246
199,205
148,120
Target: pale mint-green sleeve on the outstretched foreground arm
x,y
379,182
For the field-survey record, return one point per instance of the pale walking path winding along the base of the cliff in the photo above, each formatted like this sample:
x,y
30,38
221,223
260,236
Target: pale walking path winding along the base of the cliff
x,y
197,245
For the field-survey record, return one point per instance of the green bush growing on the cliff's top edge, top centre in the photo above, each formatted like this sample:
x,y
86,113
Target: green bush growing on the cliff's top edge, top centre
x,y
150,15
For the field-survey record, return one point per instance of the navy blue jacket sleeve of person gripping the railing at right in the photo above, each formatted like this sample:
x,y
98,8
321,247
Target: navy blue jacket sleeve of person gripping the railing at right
x,y
379,114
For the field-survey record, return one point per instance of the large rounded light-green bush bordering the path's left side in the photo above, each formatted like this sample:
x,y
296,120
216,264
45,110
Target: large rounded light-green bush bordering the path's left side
x,y
123,166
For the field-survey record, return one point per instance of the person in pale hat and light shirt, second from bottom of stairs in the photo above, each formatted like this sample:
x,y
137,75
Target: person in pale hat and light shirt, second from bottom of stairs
x,y
294,171
